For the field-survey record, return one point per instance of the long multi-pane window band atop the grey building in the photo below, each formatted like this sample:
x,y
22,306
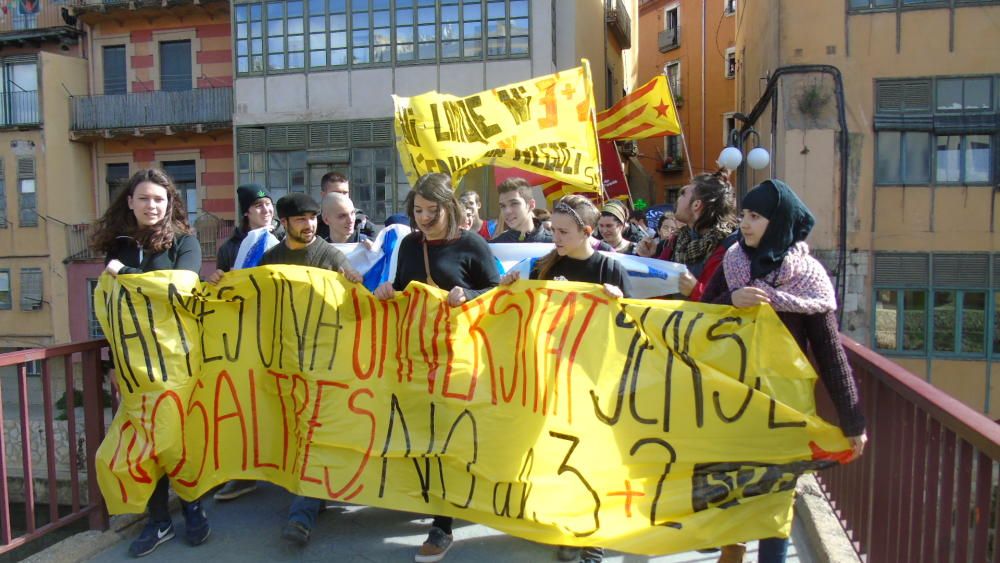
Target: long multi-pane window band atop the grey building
x,y
294,34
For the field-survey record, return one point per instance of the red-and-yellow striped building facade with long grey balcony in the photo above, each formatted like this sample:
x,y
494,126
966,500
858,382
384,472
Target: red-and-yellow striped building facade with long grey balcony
x,y
159,95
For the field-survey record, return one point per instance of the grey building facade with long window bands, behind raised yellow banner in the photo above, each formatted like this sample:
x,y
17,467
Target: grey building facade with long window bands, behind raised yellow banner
x,y
314,79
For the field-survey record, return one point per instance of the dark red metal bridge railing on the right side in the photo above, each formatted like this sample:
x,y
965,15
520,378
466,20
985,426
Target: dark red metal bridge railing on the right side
x,y
926,489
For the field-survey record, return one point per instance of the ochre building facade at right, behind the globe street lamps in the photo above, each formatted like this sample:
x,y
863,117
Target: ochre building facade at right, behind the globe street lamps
x,y
900,164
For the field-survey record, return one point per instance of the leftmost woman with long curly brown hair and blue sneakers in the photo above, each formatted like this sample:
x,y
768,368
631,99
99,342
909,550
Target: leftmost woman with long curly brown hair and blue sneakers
x,y
144,230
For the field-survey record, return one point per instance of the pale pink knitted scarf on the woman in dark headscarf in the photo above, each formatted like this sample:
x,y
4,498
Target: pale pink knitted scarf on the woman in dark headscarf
x,y
798,285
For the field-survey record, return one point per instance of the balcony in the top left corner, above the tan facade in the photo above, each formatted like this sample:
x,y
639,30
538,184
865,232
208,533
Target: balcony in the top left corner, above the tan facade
x,y
30,24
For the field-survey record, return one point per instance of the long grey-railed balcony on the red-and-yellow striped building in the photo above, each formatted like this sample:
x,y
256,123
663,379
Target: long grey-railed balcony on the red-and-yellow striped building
x,y
157,113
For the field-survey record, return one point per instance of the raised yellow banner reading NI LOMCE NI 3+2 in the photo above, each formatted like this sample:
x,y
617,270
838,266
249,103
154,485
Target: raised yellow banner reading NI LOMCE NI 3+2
x,y
543,125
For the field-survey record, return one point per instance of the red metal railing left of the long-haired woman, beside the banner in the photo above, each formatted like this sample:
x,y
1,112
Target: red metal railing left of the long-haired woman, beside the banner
x,y
84,359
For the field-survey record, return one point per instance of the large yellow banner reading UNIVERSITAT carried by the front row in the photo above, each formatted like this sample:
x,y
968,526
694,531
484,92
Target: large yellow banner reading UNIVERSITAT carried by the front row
x,y
545,410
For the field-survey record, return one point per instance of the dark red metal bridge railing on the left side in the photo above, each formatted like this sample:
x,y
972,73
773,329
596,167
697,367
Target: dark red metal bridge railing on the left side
x,y
47,463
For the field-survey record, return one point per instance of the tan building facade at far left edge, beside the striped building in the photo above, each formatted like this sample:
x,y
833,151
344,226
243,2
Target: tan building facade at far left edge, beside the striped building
x,y
40,59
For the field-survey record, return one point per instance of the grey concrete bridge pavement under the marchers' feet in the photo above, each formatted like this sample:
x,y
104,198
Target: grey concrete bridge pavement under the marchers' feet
x,y
249,529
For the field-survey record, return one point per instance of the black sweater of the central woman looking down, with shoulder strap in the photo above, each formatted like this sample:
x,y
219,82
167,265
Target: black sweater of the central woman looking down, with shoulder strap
x,y
464,262
